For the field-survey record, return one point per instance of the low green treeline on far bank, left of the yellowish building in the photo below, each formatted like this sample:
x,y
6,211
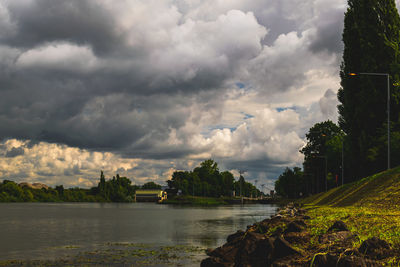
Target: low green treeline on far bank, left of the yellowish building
x,y
117,189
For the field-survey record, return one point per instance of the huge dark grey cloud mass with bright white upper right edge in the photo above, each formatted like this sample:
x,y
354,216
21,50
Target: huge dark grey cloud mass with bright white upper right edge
x,y
74,78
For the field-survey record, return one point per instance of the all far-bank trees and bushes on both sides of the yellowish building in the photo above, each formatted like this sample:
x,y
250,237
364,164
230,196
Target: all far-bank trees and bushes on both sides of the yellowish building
x,y
205,185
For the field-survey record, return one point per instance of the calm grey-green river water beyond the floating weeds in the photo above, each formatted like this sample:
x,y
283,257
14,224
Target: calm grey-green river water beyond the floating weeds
x,y
31,230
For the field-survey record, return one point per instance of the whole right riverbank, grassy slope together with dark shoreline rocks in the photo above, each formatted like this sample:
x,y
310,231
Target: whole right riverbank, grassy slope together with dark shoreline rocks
x,y
354,225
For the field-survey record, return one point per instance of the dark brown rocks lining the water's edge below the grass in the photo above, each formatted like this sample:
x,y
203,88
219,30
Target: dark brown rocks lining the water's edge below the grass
x,y
286,239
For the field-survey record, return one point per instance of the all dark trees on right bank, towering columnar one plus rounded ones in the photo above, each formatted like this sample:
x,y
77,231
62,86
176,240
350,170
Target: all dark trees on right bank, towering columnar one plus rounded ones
x,y
358,146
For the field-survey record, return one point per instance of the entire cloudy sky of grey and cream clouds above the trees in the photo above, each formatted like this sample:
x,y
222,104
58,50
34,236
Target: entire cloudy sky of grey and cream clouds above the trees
x,y
147,87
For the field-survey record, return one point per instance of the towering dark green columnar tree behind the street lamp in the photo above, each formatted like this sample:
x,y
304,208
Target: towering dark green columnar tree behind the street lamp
x,y
371,44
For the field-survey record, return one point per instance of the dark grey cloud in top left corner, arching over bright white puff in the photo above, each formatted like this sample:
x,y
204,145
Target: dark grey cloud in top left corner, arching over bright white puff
x,y
43,21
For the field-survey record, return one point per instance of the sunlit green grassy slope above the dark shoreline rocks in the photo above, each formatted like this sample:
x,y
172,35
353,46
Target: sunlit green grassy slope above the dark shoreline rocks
x,y
370,207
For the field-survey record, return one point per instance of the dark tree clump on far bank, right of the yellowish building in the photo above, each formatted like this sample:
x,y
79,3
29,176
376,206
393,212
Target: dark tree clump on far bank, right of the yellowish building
x,y
206,180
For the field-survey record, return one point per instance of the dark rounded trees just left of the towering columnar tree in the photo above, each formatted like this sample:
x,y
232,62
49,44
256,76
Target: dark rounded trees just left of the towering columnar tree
x,y
322,165
